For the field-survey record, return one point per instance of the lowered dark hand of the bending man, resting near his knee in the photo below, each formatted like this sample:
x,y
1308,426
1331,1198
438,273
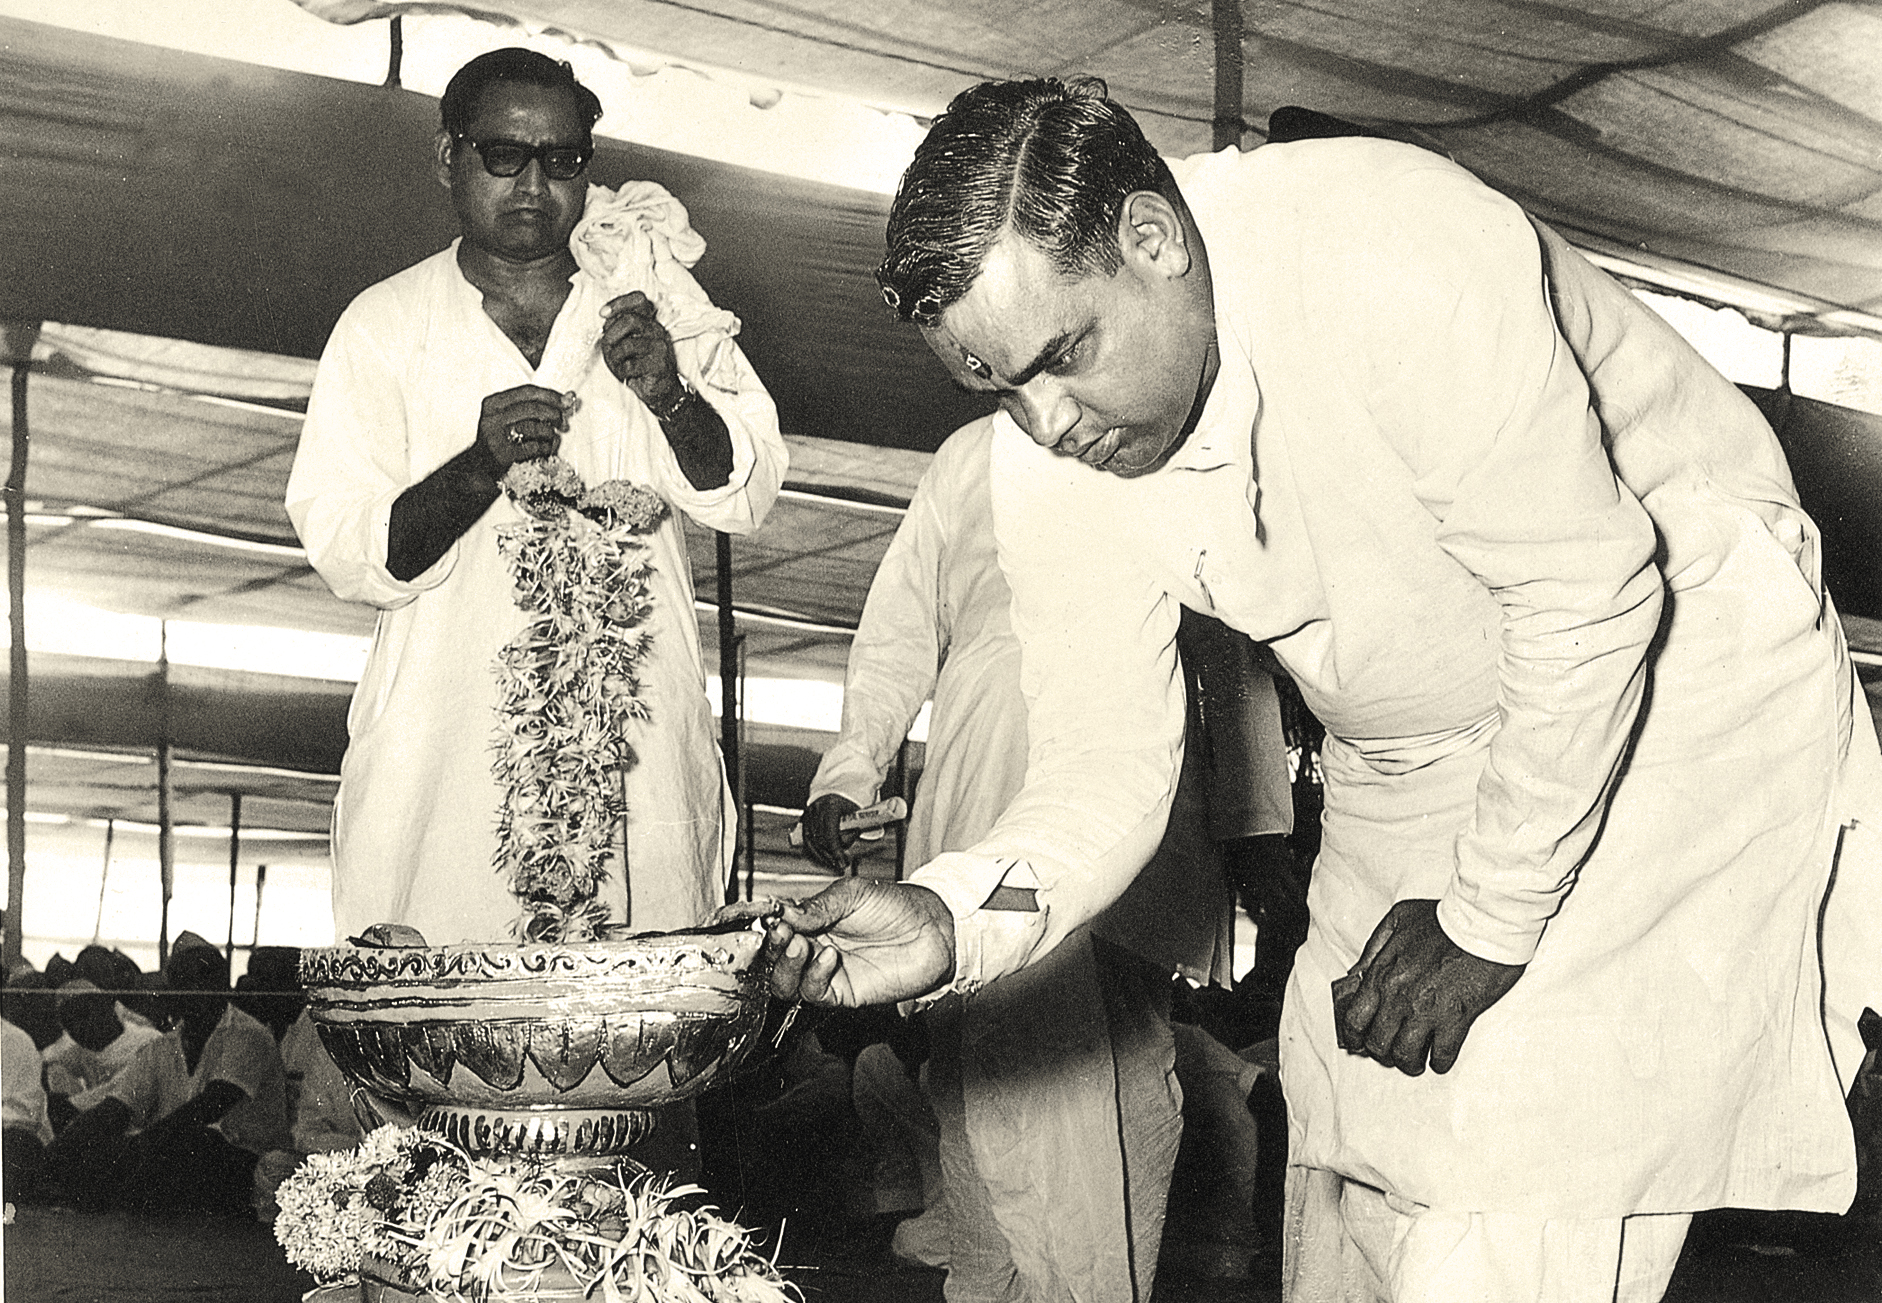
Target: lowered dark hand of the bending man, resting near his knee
x,y
1414,993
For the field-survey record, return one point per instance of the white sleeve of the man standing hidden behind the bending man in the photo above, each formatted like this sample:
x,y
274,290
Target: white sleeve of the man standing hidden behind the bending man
x,y
897,652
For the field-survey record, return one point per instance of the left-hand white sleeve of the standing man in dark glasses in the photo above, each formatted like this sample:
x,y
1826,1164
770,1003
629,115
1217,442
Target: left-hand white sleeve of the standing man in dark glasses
x,y
351,468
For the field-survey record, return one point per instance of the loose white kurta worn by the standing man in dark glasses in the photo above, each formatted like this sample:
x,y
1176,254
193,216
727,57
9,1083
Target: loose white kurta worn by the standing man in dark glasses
x,y
398,394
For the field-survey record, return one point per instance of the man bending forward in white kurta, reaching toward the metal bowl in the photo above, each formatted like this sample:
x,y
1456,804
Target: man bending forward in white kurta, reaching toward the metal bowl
x,y
1595,748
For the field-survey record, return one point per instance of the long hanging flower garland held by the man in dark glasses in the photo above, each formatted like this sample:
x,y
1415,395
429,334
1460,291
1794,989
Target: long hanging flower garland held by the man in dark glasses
x,y
567,690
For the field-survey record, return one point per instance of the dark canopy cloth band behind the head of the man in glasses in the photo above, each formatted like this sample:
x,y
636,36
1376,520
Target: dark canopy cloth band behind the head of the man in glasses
x,y
229,204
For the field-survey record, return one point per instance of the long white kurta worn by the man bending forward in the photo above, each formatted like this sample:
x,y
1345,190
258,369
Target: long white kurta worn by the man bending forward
x,y
1484,590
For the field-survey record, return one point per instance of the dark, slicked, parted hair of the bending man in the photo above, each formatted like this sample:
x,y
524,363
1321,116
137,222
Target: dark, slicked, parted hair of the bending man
x,y
1053,161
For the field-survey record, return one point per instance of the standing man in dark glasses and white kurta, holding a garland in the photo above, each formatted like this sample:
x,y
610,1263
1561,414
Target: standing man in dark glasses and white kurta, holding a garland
x,y
436,383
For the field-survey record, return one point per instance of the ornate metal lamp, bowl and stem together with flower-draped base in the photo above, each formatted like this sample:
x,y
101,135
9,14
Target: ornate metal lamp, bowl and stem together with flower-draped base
x,y
543,1065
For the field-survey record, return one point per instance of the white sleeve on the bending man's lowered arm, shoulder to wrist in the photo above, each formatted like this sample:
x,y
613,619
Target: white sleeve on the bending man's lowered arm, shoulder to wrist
x,y
1471,381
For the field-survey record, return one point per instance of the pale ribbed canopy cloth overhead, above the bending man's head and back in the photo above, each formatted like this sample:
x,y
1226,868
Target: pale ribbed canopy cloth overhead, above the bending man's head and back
x,y
1738,137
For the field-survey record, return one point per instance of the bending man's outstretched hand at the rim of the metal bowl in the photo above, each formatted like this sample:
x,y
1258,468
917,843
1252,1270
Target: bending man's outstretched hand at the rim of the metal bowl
x,y
857,942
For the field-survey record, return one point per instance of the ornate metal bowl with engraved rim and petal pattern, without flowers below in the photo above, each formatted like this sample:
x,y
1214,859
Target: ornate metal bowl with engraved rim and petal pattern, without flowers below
x,y
541,1048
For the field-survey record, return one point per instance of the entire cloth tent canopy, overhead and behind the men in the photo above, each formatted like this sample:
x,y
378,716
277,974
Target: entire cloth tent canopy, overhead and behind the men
x,y
1729,148
